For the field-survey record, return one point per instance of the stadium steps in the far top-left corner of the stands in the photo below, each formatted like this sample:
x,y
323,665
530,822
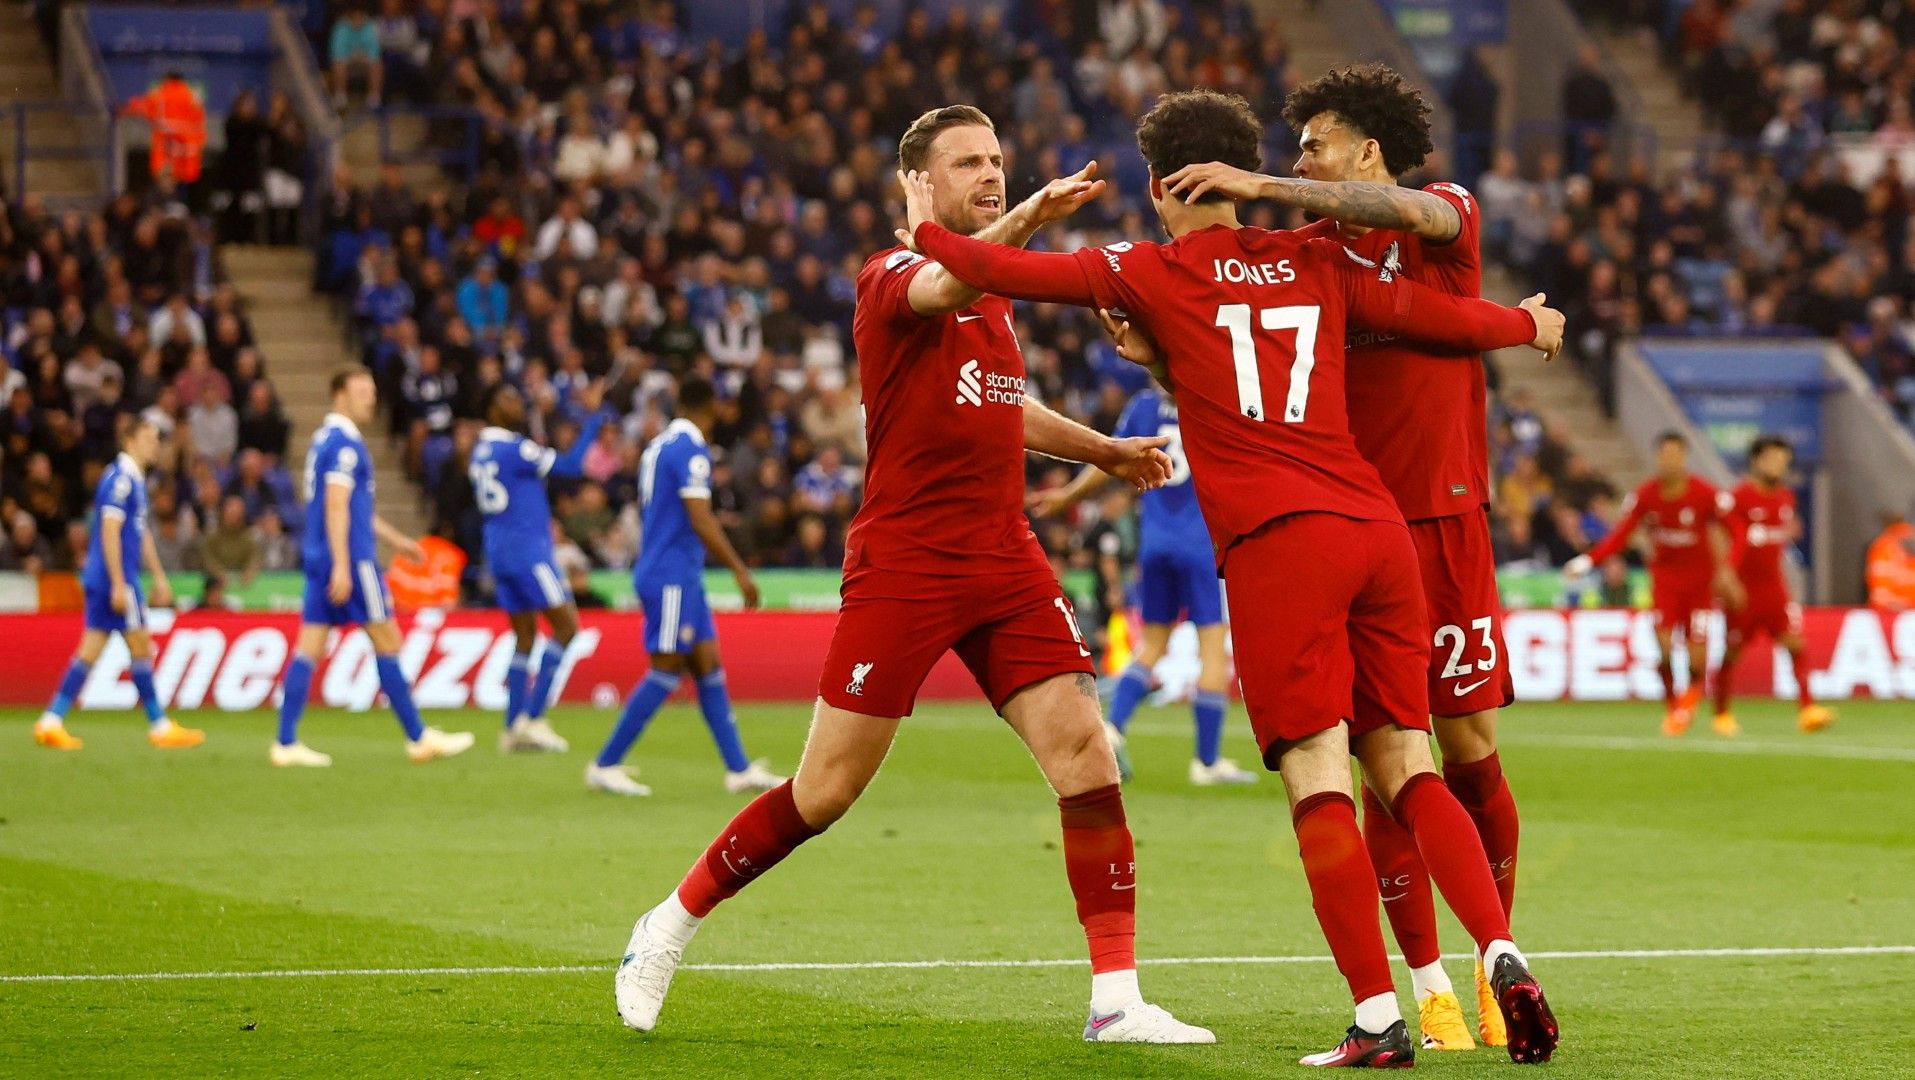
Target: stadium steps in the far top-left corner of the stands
x,y
28,76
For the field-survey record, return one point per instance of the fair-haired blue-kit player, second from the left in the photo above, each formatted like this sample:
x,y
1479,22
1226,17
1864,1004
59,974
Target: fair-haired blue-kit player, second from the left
x,y
344,581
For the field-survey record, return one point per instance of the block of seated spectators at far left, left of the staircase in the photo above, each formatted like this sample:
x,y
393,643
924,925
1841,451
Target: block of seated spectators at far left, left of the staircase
x,y
124,313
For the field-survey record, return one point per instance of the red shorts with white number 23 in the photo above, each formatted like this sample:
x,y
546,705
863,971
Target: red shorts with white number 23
x,y
1468,669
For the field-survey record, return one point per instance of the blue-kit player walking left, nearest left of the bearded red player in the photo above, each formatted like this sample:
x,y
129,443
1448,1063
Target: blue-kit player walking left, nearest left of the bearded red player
x,y
679,528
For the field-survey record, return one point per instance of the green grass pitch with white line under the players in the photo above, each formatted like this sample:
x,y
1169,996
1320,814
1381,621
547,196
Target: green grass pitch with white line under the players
x,y
122,859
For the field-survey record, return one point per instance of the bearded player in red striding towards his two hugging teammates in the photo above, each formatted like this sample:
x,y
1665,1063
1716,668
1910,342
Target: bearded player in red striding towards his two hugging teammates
x,y
941,558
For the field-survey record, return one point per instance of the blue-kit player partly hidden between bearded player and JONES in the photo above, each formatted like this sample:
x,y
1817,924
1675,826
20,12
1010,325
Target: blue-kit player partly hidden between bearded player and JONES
x,y
1177,581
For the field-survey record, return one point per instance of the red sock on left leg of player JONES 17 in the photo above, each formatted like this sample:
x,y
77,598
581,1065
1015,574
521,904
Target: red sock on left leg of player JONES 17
x,y
1343,889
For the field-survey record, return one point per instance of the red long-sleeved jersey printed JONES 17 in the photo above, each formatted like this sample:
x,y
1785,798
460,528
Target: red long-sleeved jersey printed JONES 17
x,y
1251,325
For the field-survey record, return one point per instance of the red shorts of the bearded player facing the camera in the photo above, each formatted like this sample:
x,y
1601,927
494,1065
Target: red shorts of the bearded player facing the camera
x,y
1012,629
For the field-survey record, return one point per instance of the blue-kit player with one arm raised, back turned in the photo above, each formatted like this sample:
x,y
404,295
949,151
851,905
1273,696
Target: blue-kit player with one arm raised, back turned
x,y
508,476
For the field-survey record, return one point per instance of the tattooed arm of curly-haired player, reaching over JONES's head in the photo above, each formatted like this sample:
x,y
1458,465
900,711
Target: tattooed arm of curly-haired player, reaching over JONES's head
x,y
1347,202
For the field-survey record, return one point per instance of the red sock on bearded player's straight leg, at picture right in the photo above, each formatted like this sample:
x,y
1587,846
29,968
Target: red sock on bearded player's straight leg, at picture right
x,y
1102,865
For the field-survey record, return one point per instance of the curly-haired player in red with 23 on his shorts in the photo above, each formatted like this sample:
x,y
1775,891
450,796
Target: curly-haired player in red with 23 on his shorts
x,y
1420,415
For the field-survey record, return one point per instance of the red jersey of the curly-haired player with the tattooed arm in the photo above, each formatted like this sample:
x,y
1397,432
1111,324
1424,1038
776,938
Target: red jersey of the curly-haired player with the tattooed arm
x,y
1420,413
